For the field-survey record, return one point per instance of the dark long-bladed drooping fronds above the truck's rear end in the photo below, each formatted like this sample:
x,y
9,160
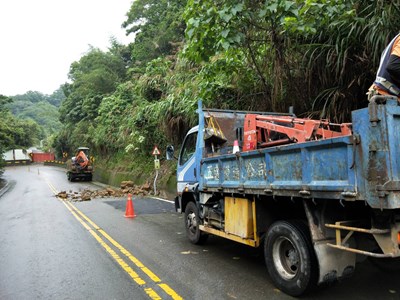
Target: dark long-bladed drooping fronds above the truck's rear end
x,y
345,56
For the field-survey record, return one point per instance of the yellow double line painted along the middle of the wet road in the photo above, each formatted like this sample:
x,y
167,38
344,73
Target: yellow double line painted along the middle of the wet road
x,y
94,230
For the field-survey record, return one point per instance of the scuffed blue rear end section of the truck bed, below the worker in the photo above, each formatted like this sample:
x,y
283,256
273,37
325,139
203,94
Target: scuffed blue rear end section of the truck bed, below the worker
x,y
377,155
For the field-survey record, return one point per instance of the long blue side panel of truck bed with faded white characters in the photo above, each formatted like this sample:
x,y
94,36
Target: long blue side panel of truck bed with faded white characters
x,y
313,169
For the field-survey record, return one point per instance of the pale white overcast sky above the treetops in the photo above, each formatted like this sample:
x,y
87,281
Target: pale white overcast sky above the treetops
x,y
39,39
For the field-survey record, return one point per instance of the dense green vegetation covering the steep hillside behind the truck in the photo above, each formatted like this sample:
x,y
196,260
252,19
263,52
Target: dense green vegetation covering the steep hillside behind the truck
x,y
318,56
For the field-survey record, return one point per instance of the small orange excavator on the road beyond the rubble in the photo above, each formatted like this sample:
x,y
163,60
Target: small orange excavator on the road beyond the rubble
x,y
80,167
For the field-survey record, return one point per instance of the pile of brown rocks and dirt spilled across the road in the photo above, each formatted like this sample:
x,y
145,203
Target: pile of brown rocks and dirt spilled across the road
x,y
126,187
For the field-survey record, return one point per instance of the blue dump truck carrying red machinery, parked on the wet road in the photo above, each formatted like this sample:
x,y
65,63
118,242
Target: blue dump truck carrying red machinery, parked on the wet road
x,y
315,196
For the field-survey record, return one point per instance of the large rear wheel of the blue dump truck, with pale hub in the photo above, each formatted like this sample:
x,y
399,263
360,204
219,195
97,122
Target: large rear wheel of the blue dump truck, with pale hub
x,y
290,257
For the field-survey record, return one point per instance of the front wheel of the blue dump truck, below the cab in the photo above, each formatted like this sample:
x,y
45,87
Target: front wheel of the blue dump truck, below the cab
x,y
192,223
